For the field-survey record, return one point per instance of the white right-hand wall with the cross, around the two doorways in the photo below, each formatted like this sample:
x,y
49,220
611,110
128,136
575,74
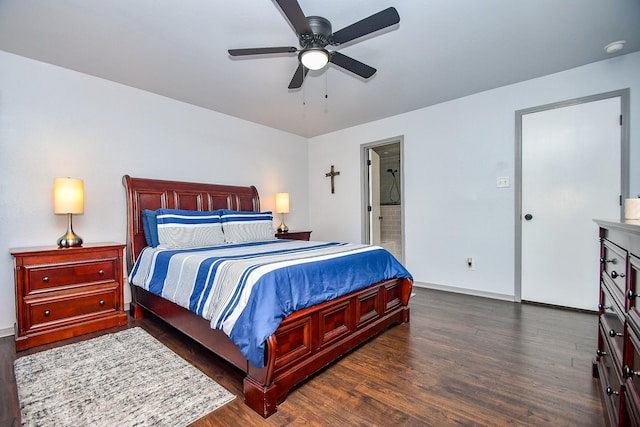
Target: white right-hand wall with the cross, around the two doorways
x,y
453,153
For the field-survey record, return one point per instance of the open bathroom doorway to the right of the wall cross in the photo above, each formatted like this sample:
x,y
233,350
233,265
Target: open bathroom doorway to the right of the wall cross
x,y
383,200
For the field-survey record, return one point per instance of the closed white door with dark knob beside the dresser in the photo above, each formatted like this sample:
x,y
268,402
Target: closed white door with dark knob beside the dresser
x,y
571,174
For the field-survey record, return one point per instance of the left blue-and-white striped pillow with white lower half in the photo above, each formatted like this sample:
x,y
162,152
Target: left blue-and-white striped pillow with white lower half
x,y
179,228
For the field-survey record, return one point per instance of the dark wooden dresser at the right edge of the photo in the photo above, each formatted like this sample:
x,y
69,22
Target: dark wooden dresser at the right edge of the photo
x,y
617,361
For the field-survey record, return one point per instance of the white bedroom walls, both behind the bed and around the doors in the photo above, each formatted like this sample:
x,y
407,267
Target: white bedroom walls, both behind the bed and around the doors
x,y
55,122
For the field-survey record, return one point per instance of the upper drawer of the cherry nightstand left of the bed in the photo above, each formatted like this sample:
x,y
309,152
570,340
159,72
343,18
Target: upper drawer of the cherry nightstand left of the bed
x,y
46,278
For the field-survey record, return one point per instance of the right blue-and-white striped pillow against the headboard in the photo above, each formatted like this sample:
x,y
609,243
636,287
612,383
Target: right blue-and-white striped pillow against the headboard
x,y
243,226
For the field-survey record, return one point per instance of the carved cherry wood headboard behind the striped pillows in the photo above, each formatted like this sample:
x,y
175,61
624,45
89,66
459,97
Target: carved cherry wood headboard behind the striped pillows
x,y
153,194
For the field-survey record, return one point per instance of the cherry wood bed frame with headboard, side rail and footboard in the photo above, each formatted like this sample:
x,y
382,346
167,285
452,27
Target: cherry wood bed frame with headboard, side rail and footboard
x,y
306,340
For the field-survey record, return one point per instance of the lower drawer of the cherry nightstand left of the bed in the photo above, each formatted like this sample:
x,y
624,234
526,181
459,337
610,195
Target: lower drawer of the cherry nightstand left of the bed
x,y
72,306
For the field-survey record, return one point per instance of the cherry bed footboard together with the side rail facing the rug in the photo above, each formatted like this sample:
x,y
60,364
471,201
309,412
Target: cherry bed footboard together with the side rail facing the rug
x,y
305,342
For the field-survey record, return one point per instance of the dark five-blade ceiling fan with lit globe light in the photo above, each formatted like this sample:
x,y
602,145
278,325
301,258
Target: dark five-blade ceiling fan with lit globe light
x,y
314,34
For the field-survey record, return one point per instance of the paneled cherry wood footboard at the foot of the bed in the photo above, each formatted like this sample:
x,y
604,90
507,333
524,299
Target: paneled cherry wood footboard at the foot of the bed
x,y
310,339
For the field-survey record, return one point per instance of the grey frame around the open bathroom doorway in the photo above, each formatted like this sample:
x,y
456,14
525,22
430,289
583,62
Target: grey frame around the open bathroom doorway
x,y
364,185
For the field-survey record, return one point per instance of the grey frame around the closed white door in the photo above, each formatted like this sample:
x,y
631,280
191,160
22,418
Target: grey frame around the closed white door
x,y
623,94
